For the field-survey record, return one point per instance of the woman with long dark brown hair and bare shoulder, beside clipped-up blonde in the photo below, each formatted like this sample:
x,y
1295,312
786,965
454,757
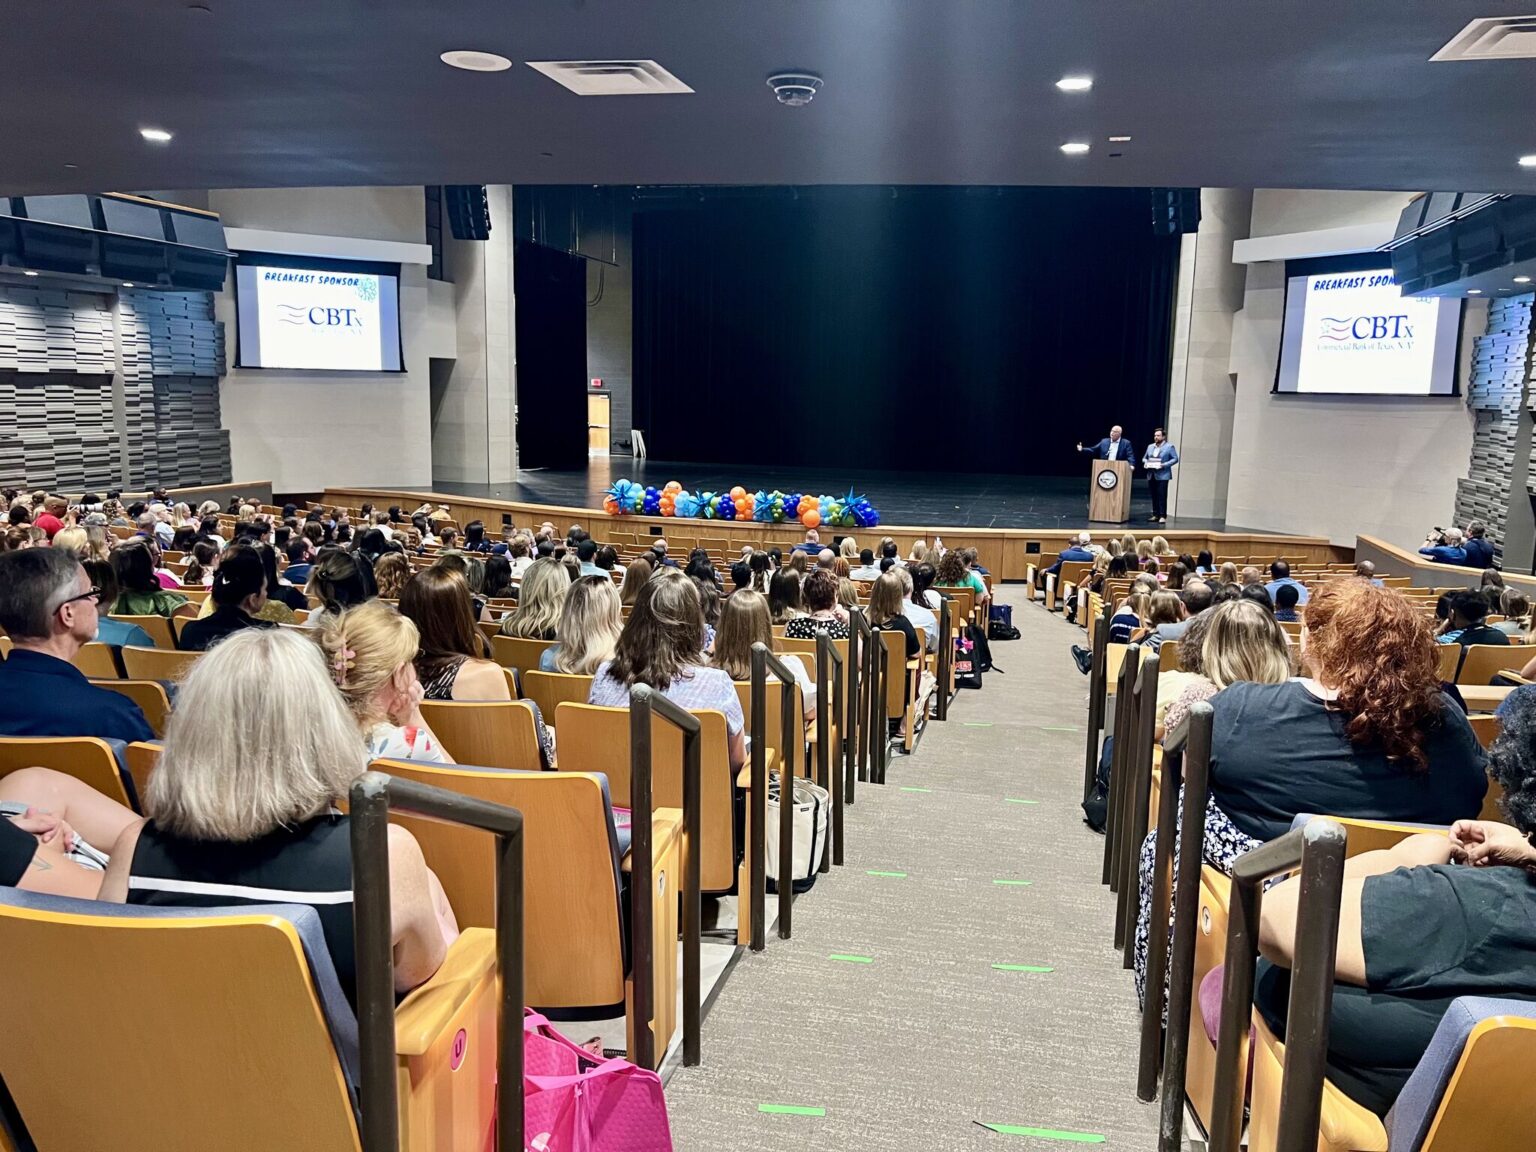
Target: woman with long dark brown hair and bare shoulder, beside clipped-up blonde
x,y
454,658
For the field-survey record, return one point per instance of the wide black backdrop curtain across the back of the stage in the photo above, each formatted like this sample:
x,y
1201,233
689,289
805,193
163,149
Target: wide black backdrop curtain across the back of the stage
x,y
930,329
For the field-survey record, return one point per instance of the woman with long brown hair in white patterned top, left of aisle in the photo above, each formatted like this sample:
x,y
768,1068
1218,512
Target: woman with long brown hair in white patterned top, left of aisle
x,y
663,646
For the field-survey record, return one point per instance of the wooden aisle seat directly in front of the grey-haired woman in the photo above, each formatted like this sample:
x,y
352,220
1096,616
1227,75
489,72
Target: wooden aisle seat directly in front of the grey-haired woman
x,y
572,892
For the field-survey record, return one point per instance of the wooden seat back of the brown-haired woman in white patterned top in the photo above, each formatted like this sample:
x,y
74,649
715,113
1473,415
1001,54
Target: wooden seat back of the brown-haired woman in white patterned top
x,y
595,740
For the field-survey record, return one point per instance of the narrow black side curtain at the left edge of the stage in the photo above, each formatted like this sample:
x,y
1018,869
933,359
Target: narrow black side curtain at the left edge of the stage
x,y
552,357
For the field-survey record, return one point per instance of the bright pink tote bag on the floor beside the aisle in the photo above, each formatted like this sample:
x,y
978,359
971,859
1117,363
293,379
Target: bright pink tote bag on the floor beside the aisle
x,y
575,1104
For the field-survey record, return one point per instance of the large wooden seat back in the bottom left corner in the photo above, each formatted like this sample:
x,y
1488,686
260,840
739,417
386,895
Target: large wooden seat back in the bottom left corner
x,y
217,1027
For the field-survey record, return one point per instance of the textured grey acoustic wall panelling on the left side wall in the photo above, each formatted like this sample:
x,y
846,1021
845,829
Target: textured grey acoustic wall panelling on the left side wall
x,y
59,357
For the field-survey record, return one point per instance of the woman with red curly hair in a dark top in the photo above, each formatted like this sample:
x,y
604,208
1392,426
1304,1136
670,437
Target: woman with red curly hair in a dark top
x,y
1366,733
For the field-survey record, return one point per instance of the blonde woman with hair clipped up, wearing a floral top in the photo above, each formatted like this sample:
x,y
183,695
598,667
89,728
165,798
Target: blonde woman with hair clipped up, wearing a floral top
x,y
371,652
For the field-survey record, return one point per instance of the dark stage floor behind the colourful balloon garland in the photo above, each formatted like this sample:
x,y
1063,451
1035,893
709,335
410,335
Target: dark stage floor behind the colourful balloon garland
x,y
961,500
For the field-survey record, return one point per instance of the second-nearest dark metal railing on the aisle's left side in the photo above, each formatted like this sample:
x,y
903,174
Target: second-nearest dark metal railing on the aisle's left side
x,y
644,704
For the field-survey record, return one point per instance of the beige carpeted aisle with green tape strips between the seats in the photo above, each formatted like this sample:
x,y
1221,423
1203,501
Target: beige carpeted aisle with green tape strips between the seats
x,y
913,1047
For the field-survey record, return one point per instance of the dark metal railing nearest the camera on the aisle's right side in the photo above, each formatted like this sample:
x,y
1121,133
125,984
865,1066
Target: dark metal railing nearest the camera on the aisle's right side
x,y
1319,850
